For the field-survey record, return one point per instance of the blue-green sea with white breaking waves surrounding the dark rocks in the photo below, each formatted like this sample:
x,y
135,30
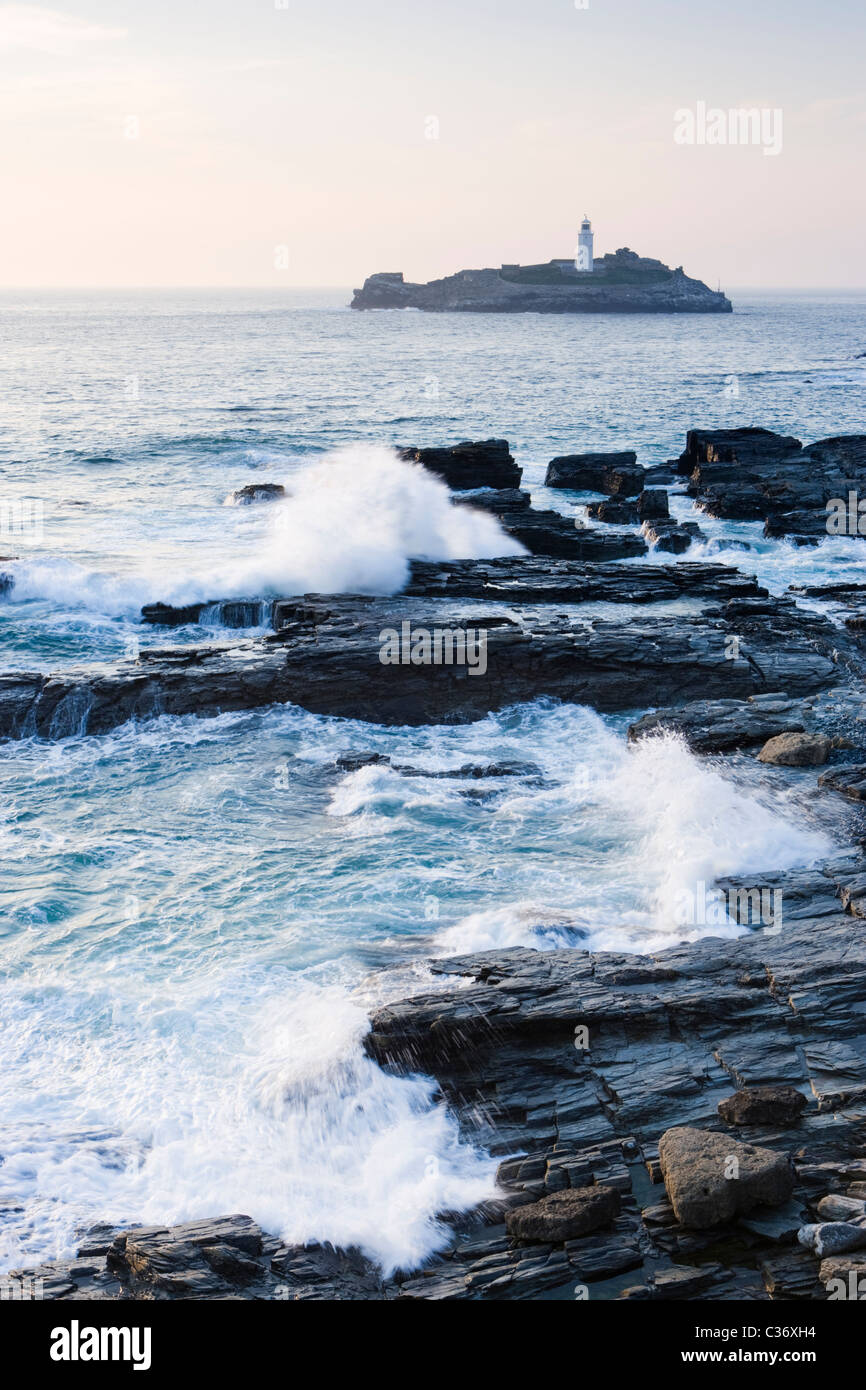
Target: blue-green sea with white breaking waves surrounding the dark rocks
x,y
198,915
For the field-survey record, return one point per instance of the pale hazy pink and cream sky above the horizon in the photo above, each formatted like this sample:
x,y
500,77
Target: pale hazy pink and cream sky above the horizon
x,y
288,142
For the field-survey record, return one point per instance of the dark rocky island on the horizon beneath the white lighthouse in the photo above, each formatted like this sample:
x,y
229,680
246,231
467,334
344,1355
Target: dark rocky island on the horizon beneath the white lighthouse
x,y
619,284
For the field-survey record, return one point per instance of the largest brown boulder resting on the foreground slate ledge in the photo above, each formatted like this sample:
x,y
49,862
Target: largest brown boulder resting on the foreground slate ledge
x,y
711,1178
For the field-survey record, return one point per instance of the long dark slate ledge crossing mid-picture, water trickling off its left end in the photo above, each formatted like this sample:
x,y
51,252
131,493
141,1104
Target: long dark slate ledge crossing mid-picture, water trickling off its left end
x,y
327,660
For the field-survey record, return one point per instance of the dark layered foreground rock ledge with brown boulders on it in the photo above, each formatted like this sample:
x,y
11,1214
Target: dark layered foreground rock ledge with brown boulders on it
x,y
575,1065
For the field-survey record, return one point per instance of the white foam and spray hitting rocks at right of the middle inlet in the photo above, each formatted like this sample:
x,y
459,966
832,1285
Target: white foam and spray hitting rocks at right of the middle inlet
x,y
653,824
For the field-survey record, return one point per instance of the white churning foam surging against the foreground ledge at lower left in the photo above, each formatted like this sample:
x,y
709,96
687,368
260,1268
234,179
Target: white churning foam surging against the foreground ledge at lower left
x,y
183,1107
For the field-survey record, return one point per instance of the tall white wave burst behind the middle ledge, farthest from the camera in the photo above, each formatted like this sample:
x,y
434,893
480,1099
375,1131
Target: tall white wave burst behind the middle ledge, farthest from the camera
x,y
355,521
